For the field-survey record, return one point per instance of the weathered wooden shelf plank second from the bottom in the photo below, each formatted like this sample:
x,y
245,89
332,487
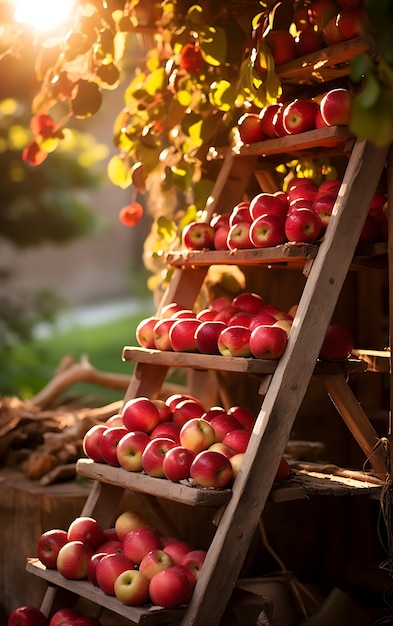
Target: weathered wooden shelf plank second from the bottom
x,y
185,492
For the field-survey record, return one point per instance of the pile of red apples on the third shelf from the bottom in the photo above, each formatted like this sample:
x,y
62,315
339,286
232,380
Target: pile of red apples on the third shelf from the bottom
x,y
242,326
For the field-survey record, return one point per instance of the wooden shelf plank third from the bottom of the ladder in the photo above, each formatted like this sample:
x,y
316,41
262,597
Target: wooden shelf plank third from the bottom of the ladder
x,y
244,365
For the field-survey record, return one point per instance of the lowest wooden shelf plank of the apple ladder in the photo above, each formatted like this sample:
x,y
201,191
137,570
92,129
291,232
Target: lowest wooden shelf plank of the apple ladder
x,y
148,614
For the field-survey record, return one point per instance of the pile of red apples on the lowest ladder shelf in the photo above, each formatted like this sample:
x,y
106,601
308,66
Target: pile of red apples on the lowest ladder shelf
x,y
130,561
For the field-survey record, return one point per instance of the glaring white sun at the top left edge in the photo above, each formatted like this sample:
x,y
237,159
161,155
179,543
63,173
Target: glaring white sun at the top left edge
x,y
43,15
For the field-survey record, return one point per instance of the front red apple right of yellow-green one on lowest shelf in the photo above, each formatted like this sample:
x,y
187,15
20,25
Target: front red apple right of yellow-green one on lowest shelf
x,y
170,588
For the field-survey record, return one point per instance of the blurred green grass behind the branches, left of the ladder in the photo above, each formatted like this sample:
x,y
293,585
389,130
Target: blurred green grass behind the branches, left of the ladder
x,y
32,366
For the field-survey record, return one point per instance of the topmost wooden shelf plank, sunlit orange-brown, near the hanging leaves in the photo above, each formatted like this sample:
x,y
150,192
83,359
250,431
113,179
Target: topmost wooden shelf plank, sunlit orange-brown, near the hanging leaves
x,y
324,65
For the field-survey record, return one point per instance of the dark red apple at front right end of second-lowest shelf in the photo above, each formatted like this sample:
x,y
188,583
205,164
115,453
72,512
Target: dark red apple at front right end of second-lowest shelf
x,y
211,469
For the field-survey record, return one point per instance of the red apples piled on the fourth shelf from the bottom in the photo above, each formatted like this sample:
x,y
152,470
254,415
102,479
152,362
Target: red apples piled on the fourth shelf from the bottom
x,y
301,214
